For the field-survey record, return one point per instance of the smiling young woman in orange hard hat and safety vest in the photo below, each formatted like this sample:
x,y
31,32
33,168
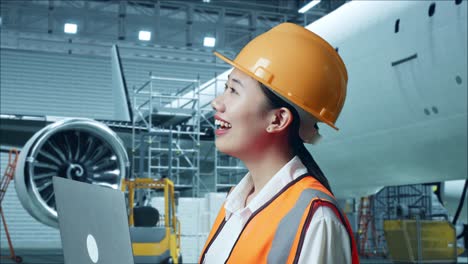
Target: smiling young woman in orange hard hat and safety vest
x,y
283,211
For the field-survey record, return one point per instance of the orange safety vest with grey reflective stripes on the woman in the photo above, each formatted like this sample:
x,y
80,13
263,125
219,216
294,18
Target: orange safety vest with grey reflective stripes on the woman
x,y
275,232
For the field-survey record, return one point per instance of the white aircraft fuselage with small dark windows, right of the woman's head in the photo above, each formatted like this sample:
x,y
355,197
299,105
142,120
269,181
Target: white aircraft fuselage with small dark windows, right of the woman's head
x,y
405,116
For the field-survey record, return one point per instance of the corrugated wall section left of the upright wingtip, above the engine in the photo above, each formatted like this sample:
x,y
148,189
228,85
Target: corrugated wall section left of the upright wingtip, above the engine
x,y
54,84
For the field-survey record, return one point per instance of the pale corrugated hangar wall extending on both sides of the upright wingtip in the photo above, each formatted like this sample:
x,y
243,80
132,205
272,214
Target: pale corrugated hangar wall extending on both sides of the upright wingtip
x,y
40,83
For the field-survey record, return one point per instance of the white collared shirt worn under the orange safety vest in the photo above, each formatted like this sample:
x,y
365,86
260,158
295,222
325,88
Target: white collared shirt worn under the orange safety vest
x,y
326,240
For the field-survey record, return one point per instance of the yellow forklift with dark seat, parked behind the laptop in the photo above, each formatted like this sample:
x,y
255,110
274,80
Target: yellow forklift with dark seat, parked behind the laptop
x,y
153,242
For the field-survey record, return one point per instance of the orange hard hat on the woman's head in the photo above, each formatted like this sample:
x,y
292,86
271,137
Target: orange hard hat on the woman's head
x,y
301,68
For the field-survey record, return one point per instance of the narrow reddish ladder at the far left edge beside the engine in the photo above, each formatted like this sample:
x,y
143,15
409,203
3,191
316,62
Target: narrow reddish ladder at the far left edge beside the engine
x,y
7,177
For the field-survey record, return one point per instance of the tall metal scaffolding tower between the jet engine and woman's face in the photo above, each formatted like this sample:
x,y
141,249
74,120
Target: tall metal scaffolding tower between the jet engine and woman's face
x,y
167,143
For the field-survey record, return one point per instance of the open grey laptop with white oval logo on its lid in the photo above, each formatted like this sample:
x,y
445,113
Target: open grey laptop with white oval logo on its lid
x,y
93,223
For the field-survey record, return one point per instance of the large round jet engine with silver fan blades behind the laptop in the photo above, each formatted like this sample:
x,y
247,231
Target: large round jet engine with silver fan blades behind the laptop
x,y
79,149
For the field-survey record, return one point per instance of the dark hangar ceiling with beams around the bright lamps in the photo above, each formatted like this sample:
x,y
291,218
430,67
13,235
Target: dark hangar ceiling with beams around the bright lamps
x,y
177,27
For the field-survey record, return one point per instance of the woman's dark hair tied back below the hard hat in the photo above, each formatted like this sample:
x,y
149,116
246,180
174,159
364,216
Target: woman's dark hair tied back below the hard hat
x,y
295,140
